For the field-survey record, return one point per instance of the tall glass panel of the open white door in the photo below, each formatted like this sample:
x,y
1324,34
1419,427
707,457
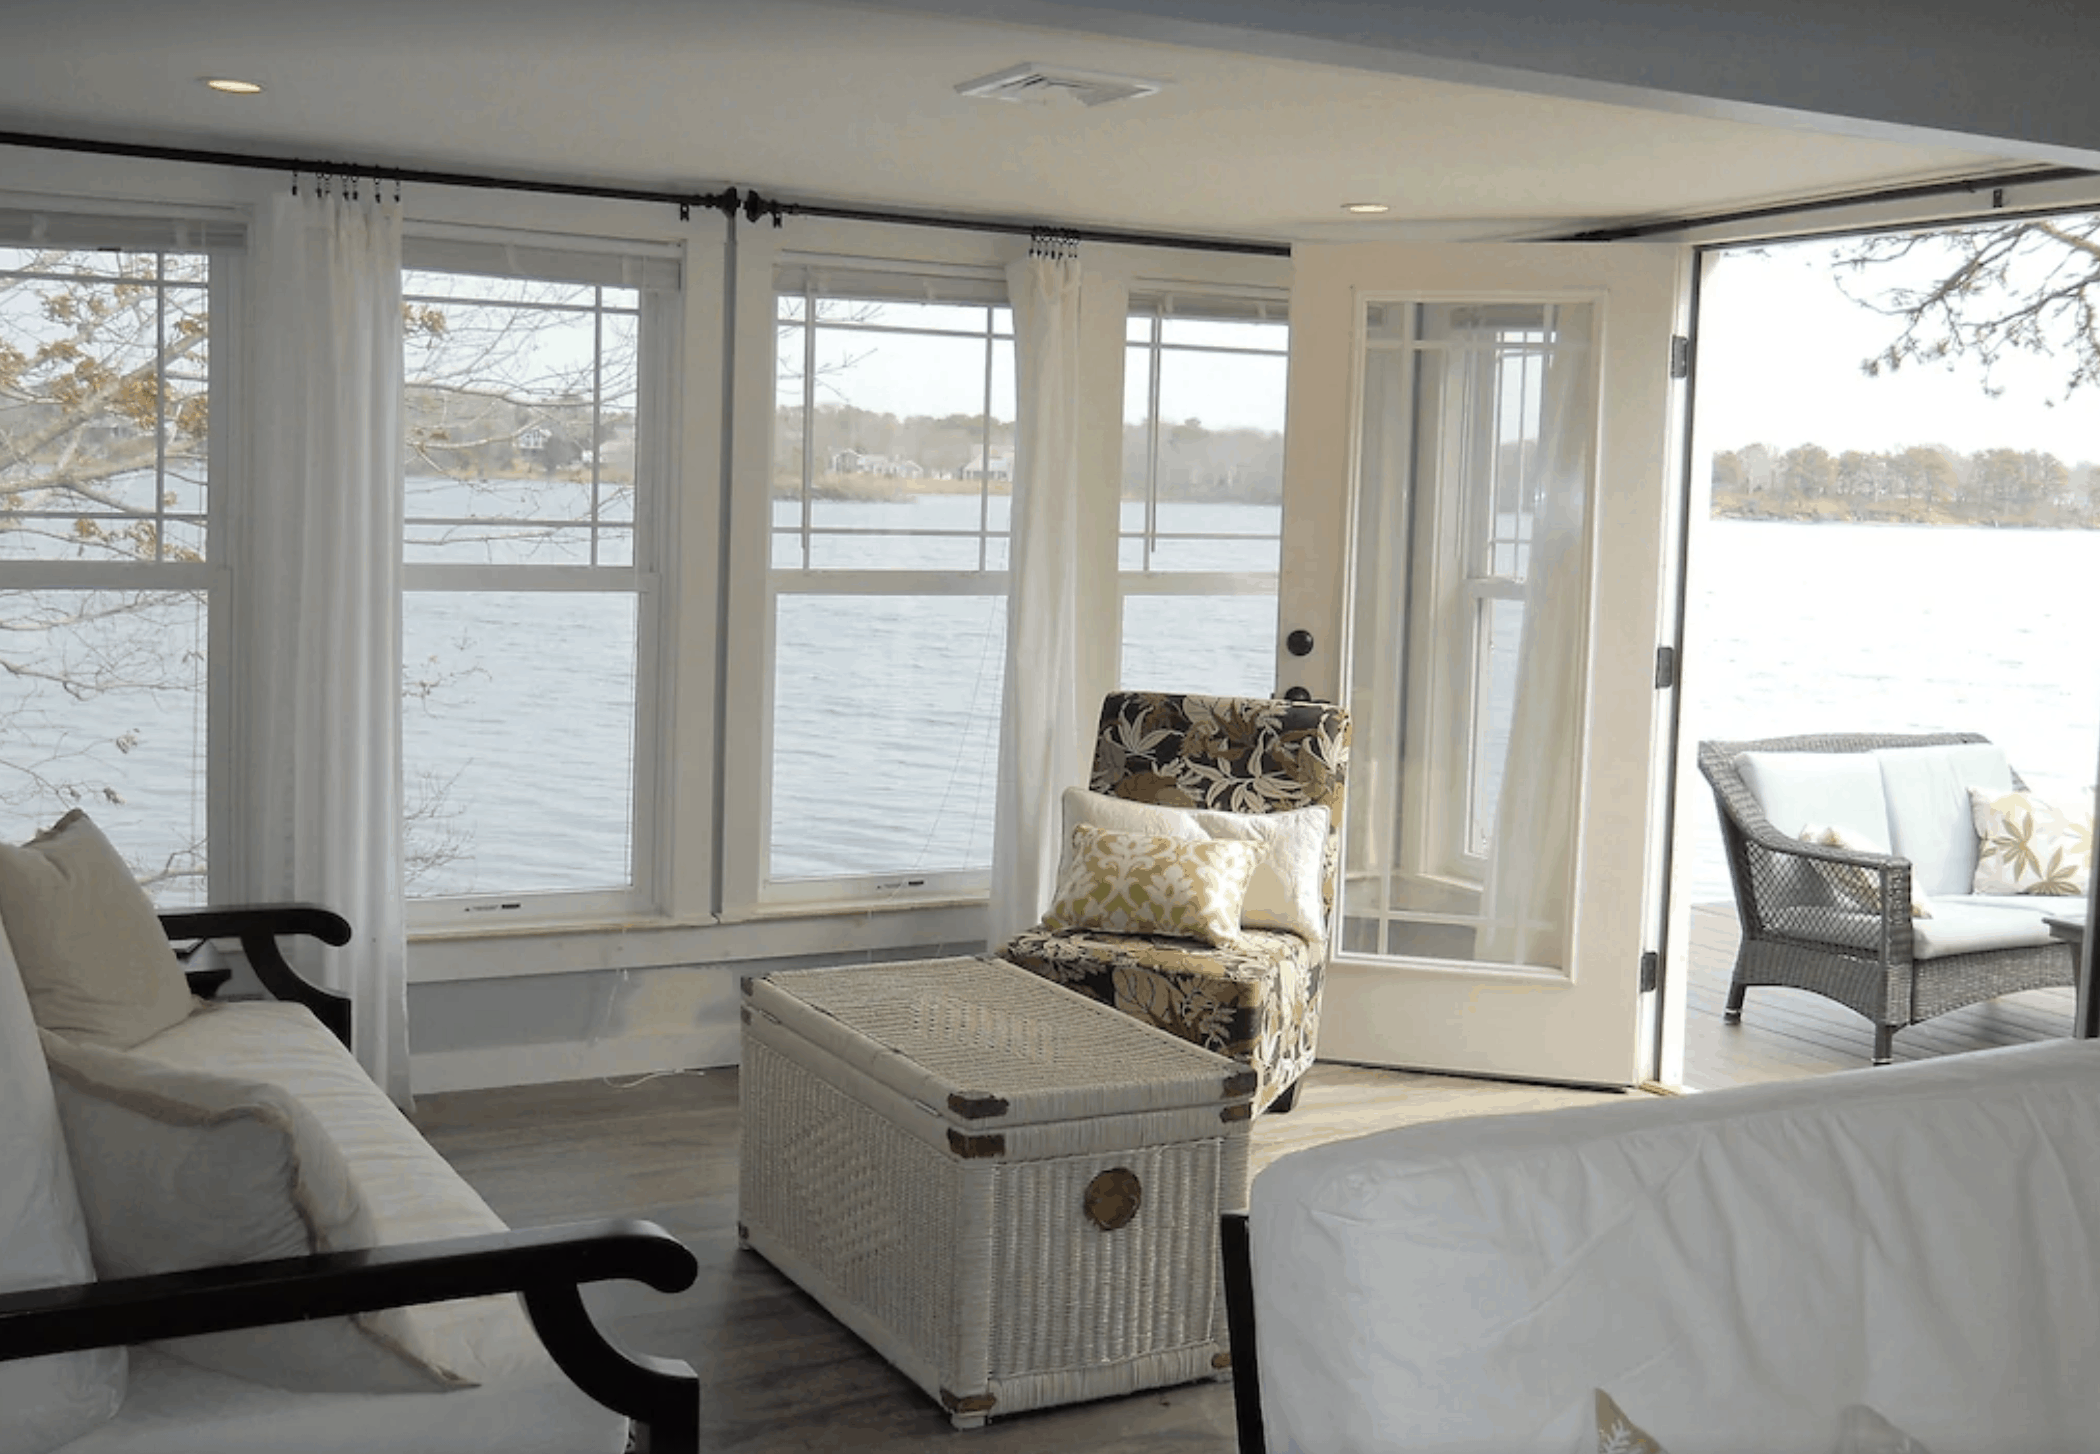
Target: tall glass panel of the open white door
x,y
1467,671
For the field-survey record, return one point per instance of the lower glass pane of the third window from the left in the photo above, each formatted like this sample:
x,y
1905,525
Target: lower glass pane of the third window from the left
x,y
885,734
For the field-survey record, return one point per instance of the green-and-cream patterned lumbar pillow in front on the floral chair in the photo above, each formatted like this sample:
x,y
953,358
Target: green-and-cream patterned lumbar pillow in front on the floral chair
x,y
1139,884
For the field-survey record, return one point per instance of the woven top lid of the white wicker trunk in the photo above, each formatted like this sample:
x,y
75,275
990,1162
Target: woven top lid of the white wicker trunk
x,y
984,1029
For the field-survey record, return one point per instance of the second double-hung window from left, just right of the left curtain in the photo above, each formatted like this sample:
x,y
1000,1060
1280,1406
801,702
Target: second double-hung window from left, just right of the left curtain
x,y
530,575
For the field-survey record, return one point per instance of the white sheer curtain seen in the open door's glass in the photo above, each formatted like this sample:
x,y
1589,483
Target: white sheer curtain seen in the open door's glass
x,y
1526,898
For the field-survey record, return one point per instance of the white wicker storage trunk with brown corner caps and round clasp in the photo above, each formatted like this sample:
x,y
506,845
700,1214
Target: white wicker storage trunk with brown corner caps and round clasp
x,y
1007,1188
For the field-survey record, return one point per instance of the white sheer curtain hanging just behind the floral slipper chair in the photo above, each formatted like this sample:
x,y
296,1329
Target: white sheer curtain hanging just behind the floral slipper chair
x,y
1043,722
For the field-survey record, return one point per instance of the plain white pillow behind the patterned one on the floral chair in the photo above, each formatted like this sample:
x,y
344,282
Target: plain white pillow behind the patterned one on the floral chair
x,y
1286,888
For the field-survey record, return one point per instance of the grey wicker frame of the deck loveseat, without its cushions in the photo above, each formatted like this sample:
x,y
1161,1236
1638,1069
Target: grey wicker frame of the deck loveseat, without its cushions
x,y
1839,921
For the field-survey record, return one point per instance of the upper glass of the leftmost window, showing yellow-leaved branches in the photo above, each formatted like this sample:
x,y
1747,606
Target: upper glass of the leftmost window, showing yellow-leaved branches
x,y
104,407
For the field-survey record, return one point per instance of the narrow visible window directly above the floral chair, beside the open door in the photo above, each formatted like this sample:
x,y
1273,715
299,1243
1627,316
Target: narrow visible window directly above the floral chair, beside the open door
x,y
1202,512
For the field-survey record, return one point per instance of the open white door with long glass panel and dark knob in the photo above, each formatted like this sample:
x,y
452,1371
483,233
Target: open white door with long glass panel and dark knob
x,y
1479,533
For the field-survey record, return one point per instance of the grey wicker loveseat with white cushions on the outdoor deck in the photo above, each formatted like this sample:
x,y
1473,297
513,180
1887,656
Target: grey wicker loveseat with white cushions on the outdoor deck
x,y
1839,921
